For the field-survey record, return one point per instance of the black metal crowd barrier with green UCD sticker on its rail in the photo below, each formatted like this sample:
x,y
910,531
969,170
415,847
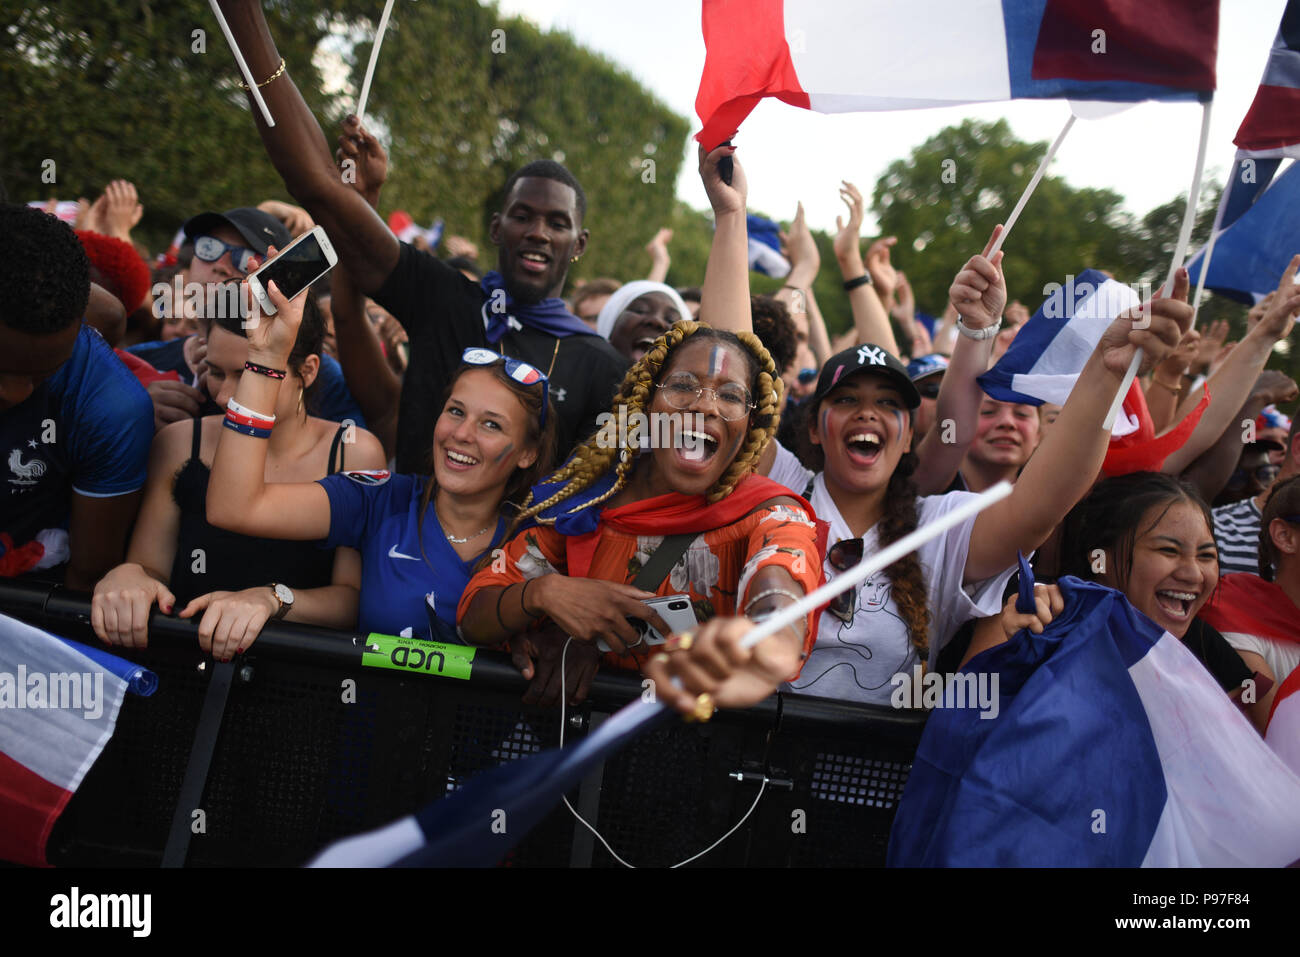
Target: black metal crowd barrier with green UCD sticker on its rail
x,y
318,744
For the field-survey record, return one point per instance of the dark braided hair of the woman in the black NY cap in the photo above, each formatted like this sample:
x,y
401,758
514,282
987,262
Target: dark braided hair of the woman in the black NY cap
x,y
907,579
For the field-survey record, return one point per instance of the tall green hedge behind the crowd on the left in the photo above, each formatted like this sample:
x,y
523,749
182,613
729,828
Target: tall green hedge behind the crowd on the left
x,y
118,90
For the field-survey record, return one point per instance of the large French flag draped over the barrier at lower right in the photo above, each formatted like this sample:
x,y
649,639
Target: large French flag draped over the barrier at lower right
x,y
1112,747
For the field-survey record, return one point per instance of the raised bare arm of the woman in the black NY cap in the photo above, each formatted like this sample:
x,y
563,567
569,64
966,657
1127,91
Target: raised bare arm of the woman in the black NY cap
x,y
1065,466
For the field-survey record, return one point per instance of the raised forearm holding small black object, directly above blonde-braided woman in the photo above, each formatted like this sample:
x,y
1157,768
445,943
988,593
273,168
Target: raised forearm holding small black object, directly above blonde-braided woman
x,y
725,297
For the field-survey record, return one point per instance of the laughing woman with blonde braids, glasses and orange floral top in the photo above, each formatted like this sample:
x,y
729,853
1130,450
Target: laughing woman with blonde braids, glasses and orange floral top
x,y
710,404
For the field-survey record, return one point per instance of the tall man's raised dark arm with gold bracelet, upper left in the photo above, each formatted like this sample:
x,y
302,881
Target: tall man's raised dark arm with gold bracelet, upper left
x,y
301,154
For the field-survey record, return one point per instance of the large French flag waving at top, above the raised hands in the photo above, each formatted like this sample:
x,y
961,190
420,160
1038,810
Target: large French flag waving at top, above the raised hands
x,y
839,57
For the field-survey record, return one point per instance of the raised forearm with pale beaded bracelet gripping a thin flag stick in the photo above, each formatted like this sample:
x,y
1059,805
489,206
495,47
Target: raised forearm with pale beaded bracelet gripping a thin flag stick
x,y
980,295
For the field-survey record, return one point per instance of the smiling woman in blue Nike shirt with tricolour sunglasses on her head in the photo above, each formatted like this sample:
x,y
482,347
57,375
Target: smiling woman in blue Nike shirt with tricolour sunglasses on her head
x,y
419,538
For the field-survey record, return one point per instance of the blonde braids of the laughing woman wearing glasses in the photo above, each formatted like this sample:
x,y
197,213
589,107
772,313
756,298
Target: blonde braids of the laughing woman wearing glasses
x,y
603,452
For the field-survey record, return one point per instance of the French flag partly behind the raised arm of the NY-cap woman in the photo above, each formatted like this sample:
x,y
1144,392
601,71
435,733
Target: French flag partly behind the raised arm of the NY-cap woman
x,y
1051,350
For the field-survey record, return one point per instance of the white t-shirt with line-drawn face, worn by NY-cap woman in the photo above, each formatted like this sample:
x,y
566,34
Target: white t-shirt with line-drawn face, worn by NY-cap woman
x,y
856,660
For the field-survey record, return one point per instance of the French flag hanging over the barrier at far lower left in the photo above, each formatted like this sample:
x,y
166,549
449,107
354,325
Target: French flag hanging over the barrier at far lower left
x,y
59,705
